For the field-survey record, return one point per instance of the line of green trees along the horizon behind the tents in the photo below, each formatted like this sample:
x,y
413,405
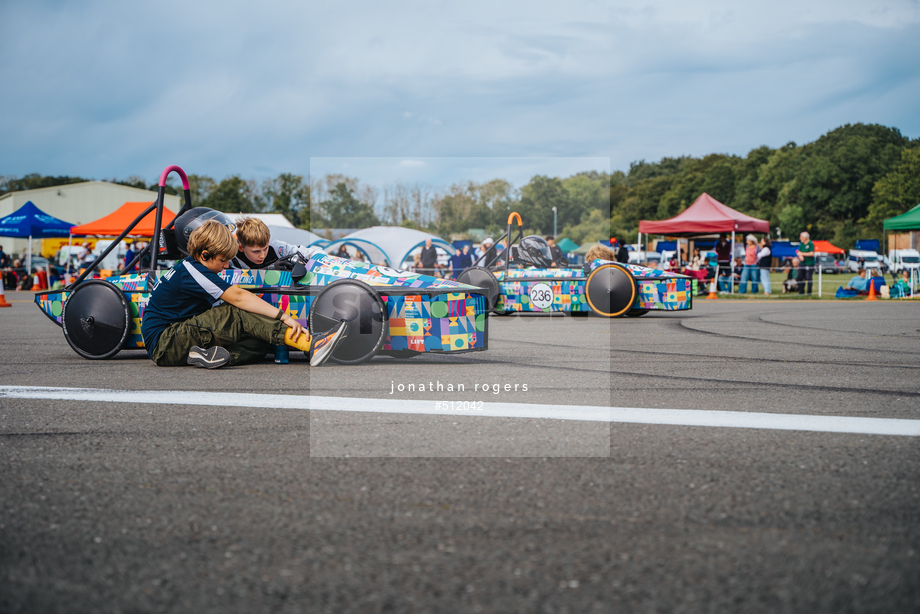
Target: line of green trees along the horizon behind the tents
x,y
839,187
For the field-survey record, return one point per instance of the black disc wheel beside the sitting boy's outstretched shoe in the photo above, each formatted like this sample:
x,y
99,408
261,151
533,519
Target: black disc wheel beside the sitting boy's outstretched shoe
x,y
358,304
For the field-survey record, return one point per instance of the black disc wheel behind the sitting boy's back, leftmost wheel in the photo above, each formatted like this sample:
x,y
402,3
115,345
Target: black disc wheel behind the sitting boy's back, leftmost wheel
x,y
96,319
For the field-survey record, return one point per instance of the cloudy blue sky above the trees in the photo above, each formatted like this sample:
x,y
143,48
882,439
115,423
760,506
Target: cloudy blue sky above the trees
x,y
112,89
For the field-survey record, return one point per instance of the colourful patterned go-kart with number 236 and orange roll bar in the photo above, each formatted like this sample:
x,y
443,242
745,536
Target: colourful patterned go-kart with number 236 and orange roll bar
x,y
525,283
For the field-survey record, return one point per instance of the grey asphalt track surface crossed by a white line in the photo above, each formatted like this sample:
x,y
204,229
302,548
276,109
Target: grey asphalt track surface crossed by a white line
x,y
349,498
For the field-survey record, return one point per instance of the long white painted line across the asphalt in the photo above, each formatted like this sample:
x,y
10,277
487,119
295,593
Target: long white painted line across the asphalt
x,y
630,415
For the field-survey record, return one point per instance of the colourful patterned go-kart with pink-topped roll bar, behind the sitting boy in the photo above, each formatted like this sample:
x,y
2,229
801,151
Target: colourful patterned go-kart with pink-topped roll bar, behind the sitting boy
x,y
392,312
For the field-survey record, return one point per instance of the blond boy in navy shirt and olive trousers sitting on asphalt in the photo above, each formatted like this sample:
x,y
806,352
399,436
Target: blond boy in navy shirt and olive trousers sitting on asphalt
x,y
181,325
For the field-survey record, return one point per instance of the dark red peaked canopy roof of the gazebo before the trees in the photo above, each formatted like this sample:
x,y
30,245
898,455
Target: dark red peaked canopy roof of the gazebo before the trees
x,y
705,216
